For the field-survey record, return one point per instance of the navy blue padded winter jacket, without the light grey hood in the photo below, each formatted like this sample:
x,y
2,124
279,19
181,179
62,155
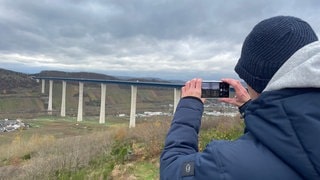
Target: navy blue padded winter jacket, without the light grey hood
x,y
281,141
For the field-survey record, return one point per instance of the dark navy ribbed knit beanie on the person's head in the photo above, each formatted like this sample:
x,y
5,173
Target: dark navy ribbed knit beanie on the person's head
x,y
270,43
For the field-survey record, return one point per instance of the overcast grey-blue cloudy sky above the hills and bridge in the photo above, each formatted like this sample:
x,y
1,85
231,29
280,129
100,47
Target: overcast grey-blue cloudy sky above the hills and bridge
x,y
167,39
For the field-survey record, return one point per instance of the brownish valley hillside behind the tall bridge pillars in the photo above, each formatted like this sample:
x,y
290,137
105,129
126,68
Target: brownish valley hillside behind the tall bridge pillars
x,y
21,95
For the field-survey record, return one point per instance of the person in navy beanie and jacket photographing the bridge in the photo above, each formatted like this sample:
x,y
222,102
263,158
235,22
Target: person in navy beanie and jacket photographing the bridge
x,y
280,63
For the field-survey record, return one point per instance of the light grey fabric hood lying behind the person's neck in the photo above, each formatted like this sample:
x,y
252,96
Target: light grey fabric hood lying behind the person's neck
x,y
302,69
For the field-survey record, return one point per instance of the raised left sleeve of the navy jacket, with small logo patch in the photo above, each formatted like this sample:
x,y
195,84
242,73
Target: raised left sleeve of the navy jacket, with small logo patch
x,y
180,156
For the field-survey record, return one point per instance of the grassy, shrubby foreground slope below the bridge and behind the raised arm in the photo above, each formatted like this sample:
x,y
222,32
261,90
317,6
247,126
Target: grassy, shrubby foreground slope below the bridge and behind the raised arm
x,y
61,148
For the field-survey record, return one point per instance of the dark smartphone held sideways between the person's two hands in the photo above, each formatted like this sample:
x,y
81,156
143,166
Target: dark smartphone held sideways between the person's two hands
x,y
214,89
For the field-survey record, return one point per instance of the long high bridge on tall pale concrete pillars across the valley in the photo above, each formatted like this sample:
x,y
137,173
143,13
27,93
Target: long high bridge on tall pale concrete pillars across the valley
x,y
134,84
